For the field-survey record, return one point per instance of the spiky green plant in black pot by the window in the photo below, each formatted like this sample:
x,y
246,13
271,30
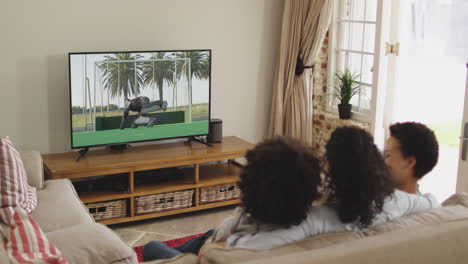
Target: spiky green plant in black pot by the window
x,y
345,88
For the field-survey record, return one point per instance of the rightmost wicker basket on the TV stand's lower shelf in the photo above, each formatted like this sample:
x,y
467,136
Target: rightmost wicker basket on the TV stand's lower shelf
x,y
222,192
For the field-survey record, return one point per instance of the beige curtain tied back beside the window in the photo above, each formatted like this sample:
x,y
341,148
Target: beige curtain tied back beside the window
x,y
305,24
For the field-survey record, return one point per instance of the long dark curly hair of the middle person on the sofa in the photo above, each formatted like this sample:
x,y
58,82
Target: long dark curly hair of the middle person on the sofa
x,y
358,178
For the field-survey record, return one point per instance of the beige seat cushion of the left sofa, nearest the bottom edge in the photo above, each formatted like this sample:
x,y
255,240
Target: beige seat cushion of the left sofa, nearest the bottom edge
x,y
92,243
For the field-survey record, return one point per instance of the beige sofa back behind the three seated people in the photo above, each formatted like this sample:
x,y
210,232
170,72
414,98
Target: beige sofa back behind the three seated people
x,y
436,236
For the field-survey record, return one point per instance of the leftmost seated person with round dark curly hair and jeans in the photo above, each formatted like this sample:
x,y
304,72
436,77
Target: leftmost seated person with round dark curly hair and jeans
x,y
278,185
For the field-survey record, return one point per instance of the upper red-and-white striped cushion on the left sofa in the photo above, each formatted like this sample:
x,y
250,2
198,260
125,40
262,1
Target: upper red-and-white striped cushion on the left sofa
x,y
14,188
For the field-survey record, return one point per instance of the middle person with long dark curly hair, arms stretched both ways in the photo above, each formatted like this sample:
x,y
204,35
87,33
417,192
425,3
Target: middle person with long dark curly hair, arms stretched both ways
x,y
361,193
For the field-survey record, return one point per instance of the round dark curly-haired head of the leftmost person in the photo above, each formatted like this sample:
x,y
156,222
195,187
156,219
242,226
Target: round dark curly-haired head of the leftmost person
x,y
280,181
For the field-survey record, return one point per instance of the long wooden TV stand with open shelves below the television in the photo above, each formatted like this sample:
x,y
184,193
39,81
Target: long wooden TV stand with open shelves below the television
x,y
201,172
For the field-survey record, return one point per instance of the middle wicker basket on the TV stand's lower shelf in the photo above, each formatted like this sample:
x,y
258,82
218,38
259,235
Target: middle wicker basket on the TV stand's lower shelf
x,y
163,202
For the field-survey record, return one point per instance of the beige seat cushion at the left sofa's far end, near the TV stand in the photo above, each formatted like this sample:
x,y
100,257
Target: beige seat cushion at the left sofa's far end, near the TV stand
x,y
59,206
